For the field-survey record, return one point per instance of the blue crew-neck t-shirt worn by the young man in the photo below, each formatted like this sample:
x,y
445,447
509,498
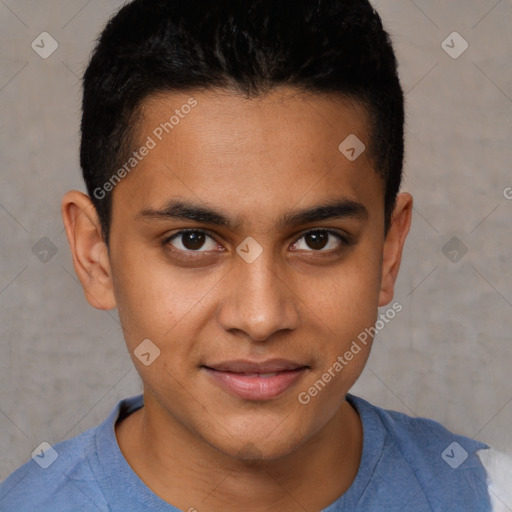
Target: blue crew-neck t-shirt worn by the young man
x,y
407,465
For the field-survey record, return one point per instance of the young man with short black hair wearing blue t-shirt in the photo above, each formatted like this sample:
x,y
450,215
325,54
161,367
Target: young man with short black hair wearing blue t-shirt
x,y
243,162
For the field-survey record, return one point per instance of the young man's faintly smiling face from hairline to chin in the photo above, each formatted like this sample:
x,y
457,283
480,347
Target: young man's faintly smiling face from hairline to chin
x,y
251,251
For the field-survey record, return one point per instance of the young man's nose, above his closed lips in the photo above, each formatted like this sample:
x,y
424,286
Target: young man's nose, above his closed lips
x,y
258,300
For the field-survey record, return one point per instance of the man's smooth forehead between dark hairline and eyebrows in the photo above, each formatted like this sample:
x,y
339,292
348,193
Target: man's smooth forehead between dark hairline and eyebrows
x,y
275,150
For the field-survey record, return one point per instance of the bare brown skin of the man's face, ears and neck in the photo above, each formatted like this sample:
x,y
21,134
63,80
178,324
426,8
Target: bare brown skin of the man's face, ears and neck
x,y
194,444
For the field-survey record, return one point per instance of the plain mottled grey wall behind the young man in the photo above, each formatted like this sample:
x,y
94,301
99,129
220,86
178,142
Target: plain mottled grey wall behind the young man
x,y
63,365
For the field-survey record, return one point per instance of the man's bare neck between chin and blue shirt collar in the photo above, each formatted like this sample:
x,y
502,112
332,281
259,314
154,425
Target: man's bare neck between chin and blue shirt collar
x,y
191,474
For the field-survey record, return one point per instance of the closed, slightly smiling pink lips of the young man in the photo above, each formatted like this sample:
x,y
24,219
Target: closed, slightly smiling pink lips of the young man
x,y
256,381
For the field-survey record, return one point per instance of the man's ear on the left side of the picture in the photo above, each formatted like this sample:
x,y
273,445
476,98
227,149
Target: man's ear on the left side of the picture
x,y
90,254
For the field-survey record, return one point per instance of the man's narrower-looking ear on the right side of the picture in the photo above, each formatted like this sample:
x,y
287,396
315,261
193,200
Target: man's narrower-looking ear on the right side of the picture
x,y
393,246
